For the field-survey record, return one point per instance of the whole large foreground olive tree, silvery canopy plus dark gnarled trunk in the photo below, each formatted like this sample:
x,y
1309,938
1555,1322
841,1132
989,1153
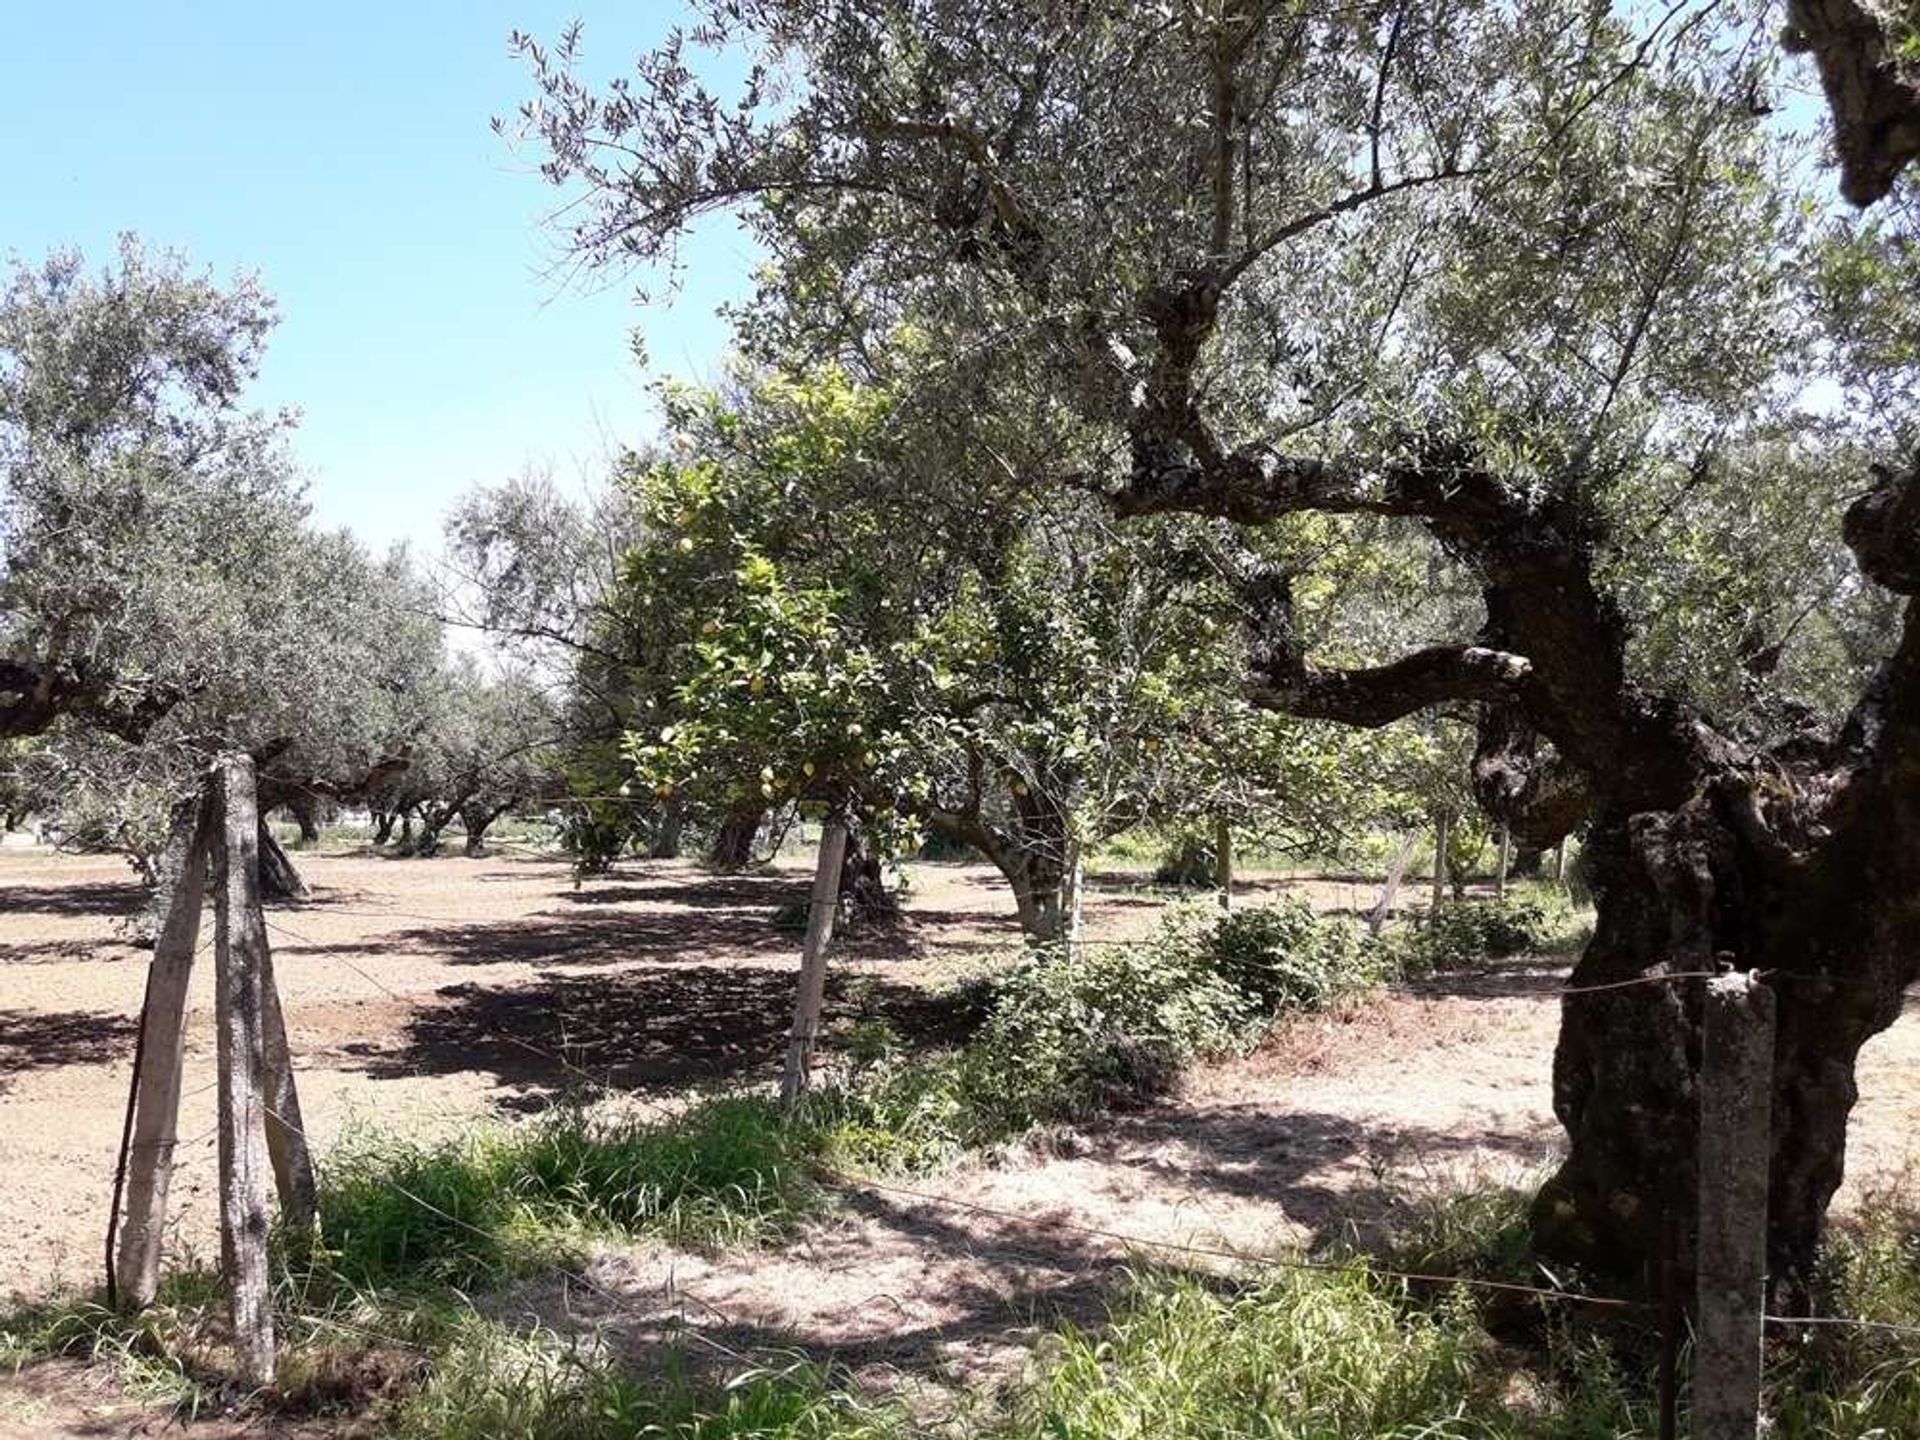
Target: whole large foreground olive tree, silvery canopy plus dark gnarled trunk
x,y
1543,283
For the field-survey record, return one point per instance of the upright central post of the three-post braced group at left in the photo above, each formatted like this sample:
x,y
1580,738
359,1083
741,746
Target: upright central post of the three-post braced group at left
x,y
239,1017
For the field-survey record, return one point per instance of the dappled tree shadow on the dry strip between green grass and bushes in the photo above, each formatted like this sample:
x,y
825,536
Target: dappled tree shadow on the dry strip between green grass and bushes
x,y
915,1282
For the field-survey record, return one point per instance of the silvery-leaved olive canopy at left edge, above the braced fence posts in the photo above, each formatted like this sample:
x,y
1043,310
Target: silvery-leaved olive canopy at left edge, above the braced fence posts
x,y
164,592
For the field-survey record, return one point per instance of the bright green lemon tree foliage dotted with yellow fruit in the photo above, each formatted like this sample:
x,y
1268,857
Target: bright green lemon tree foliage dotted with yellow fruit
x,y
1028,684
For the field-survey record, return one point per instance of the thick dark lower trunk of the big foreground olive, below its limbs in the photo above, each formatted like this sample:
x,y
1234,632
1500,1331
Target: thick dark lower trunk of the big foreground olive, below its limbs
x,y
1719,884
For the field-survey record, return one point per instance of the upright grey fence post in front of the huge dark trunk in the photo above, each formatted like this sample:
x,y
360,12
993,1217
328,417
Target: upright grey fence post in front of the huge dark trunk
x,y
1737,1084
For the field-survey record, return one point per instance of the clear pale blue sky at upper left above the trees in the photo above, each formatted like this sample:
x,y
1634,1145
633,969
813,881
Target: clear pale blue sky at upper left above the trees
x,y
343,151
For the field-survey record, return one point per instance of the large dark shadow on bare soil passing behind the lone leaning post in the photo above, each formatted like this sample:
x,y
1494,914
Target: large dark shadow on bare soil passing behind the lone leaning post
x,y
644,1030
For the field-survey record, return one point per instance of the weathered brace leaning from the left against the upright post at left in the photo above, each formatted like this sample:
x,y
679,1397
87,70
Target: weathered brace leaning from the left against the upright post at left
x,y
162,1057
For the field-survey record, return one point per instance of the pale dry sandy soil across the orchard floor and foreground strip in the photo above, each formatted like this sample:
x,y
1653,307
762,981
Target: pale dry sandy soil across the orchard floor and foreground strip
x,y
423,994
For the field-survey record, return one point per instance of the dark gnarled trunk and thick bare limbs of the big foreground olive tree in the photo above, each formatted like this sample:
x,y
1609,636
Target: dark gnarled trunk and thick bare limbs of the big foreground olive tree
x,y
1800,861
